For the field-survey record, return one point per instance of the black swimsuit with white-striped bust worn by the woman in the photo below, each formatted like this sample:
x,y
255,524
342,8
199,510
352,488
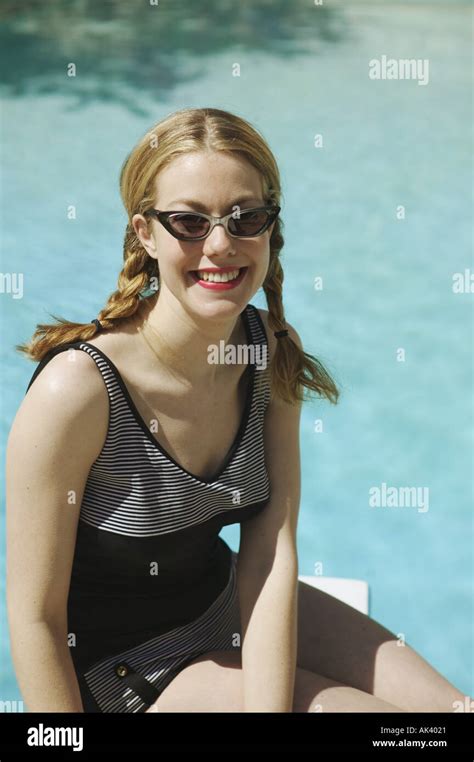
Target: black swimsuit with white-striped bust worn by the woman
x,y
153,586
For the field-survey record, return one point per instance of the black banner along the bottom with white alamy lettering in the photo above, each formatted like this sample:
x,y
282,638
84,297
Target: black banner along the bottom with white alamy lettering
x,y
64,736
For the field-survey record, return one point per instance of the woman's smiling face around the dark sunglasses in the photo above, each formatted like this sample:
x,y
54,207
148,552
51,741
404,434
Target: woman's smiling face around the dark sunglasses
x,y
213,183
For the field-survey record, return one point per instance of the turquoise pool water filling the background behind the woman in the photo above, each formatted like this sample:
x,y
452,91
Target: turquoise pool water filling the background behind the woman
x,y
387,282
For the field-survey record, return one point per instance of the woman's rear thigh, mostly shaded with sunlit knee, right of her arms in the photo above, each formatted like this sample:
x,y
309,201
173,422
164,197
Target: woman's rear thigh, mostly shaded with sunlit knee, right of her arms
x,y
336,640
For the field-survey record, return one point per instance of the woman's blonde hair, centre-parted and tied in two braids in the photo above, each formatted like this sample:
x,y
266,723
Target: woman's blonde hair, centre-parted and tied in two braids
x,y
292,370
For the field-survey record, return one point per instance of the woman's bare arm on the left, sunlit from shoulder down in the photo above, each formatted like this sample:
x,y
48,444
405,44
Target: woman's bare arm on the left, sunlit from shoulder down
x,y
57,433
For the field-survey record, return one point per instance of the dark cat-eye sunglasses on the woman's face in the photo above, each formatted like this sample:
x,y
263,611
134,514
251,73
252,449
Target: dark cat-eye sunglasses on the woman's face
x,y
191,226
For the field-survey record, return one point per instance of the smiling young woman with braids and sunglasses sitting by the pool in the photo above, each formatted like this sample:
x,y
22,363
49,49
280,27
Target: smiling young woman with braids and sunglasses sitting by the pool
x,y
142,433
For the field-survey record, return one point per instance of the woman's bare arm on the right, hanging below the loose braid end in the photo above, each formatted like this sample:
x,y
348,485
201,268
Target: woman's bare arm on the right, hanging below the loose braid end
x,y
267,570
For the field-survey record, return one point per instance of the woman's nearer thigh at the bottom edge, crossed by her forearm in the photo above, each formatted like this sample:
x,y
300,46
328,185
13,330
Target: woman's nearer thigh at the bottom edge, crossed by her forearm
x,y
213,683
